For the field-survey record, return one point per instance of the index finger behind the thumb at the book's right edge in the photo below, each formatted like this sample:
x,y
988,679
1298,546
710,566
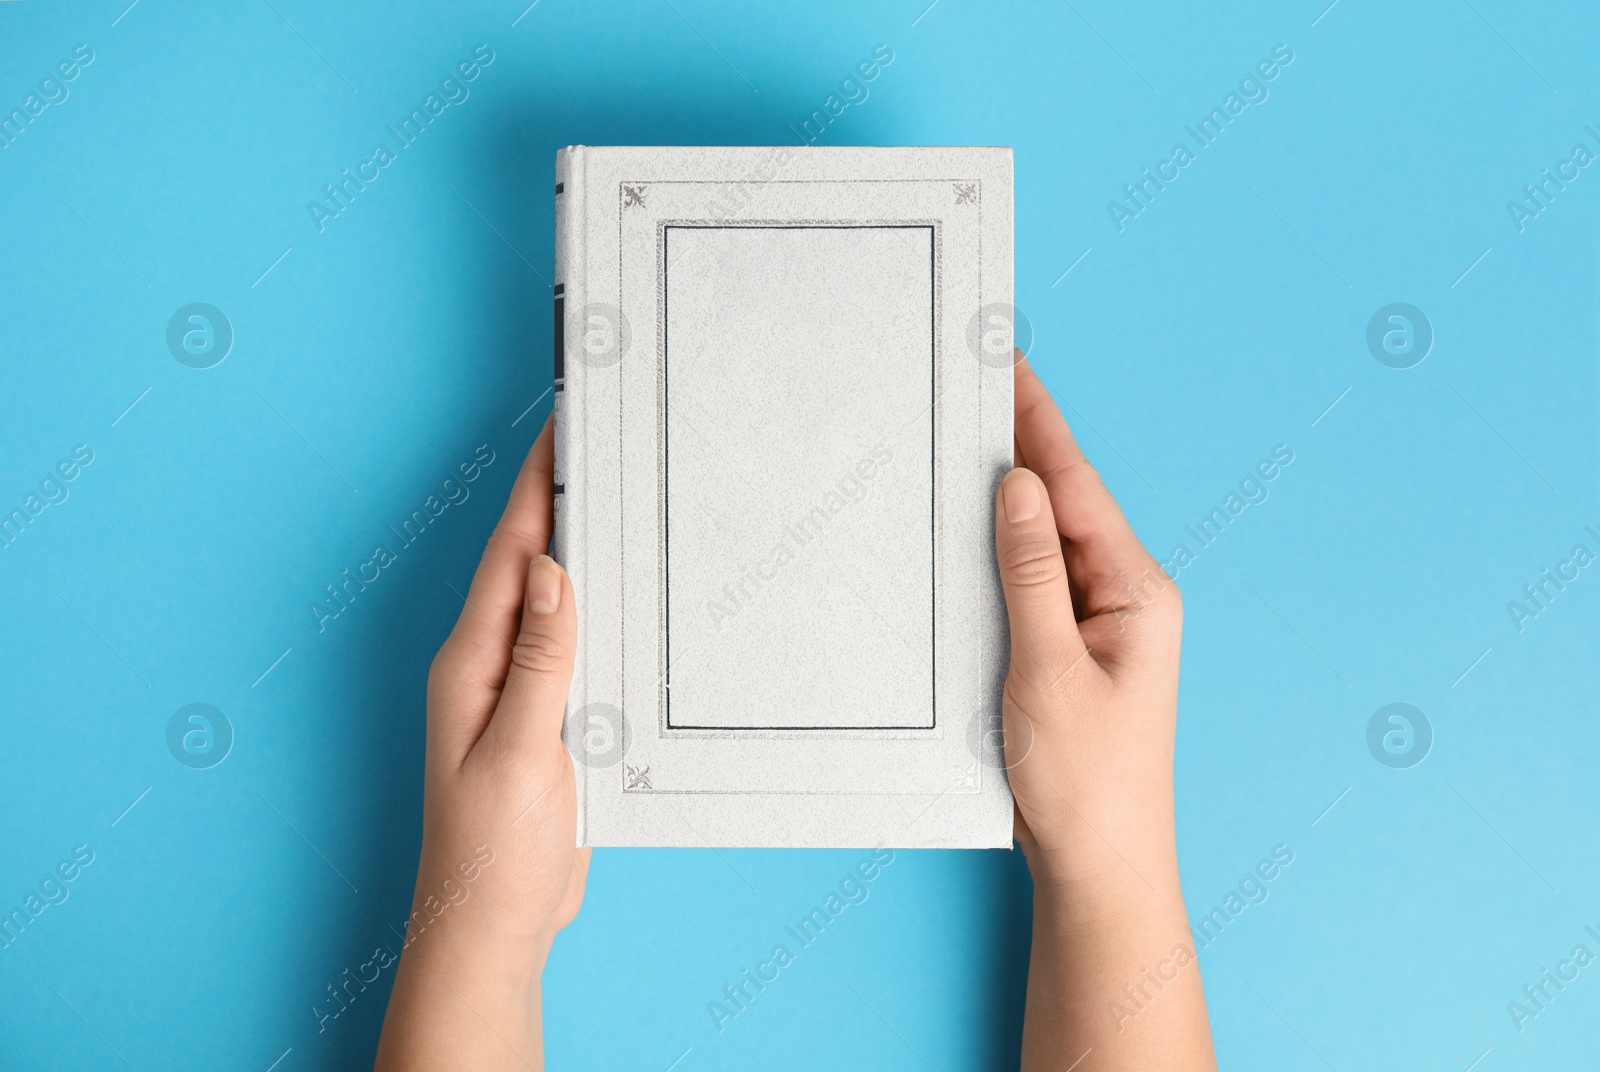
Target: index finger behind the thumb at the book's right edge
x,y
1103,554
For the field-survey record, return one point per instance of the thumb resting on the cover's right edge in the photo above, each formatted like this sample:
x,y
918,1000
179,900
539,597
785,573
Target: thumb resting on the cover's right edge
x,y
1046,642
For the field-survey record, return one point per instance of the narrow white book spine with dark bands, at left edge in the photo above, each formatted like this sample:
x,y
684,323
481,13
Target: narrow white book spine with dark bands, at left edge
x,y
569,417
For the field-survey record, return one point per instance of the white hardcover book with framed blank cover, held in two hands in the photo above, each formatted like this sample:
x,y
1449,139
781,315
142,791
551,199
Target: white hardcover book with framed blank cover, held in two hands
x,y
783,407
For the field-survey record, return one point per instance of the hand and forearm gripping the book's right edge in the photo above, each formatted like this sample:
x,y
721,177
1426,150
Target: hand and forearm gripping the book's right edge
x,y
1090,711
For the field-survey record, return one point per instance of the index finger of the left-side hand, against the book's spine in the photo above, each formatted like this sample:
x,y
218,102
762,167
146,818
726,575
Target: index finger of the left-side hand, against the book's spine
x,y
471,666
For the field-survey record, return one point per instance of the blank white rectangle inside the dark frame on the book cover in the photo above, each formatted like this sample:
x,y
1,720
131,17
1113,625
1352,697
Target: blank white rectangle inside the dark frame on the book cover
x,y
799,382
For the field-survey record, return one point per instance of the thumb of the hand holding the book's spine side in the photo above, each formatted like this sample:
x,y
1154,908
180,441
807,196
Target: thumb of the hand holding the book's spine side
x,y
534,702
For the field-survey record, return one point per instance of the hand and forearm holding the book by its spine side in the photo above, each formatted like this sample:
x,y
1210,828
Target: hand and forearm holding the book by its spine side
x,y
497,777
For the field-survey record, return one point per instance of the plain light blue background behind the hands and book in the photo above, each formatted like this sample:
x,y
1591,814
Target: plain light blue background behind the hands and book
x,y
375,356
